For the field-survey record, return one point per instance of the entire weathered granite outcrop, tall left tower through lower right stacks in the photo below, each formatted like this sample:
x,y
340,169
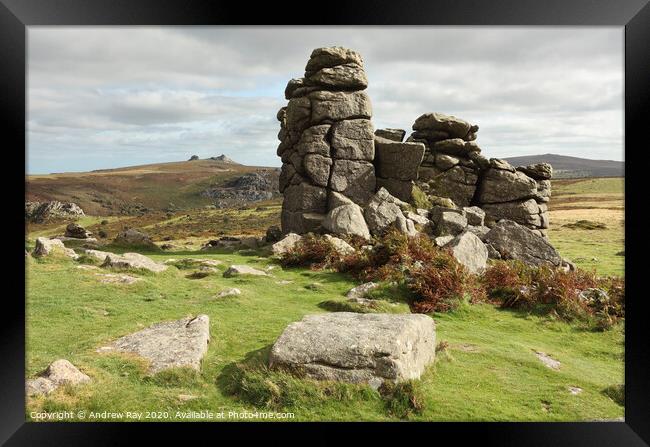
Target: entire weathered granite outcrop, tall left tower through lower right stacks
x,y
341,178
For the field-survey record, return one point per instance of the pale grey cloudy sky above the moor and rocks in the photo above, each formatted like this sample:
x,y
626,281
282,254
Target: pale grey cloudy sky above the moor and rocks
x,y
101,97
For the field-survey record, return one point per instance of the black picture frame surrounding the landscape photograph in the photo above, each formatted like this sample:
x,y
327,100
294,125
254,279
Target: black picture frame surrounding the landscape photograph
x,y
634,15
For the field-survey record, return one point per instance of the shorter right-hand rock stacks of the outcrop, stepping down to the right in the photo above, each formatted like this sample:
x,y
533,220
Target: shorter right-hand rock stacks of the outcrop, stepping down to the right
x,y
454,168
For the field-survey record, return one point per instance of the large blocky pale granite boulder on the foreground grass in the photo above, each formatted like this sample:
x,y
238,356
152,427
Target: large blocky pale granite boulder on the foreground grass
x,y
357,348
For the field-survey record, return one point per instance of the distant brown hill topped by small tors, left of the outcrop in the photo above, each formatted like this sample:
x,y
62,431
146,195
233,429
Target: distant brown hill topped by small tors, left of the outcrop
x,y
156,187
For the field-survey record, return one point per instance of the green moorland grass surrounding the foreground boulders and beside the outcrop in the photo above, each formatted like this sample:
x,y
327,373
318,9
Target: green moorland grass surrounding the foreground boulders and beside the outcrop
x,y
486,369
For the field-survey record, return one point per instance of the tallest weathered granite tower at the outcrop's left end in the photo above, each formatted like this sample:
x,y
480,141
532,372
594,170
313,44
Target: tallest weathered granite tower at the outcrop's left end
x,y
326,139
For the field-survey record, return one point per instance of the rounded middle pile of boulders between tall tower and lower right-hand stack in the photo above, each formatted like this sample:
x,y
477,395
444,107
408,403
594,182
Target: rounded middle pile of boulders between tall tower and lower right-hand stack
x,y
452,159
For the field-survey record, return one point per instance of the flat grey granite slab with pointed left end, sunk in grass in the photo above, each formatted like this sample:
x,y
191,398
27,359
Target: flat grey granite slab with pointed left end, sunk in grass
x,y
171,344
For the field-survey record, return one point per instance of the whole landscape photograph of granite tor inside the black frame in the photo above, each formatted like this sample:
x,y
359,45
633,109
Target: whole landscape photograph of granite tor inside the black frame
x,y
332,223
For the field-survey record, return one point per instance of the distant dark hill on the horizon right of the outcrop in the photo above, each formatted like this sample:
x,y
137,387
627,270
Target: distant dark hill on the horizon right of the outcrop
x,y
573,167
